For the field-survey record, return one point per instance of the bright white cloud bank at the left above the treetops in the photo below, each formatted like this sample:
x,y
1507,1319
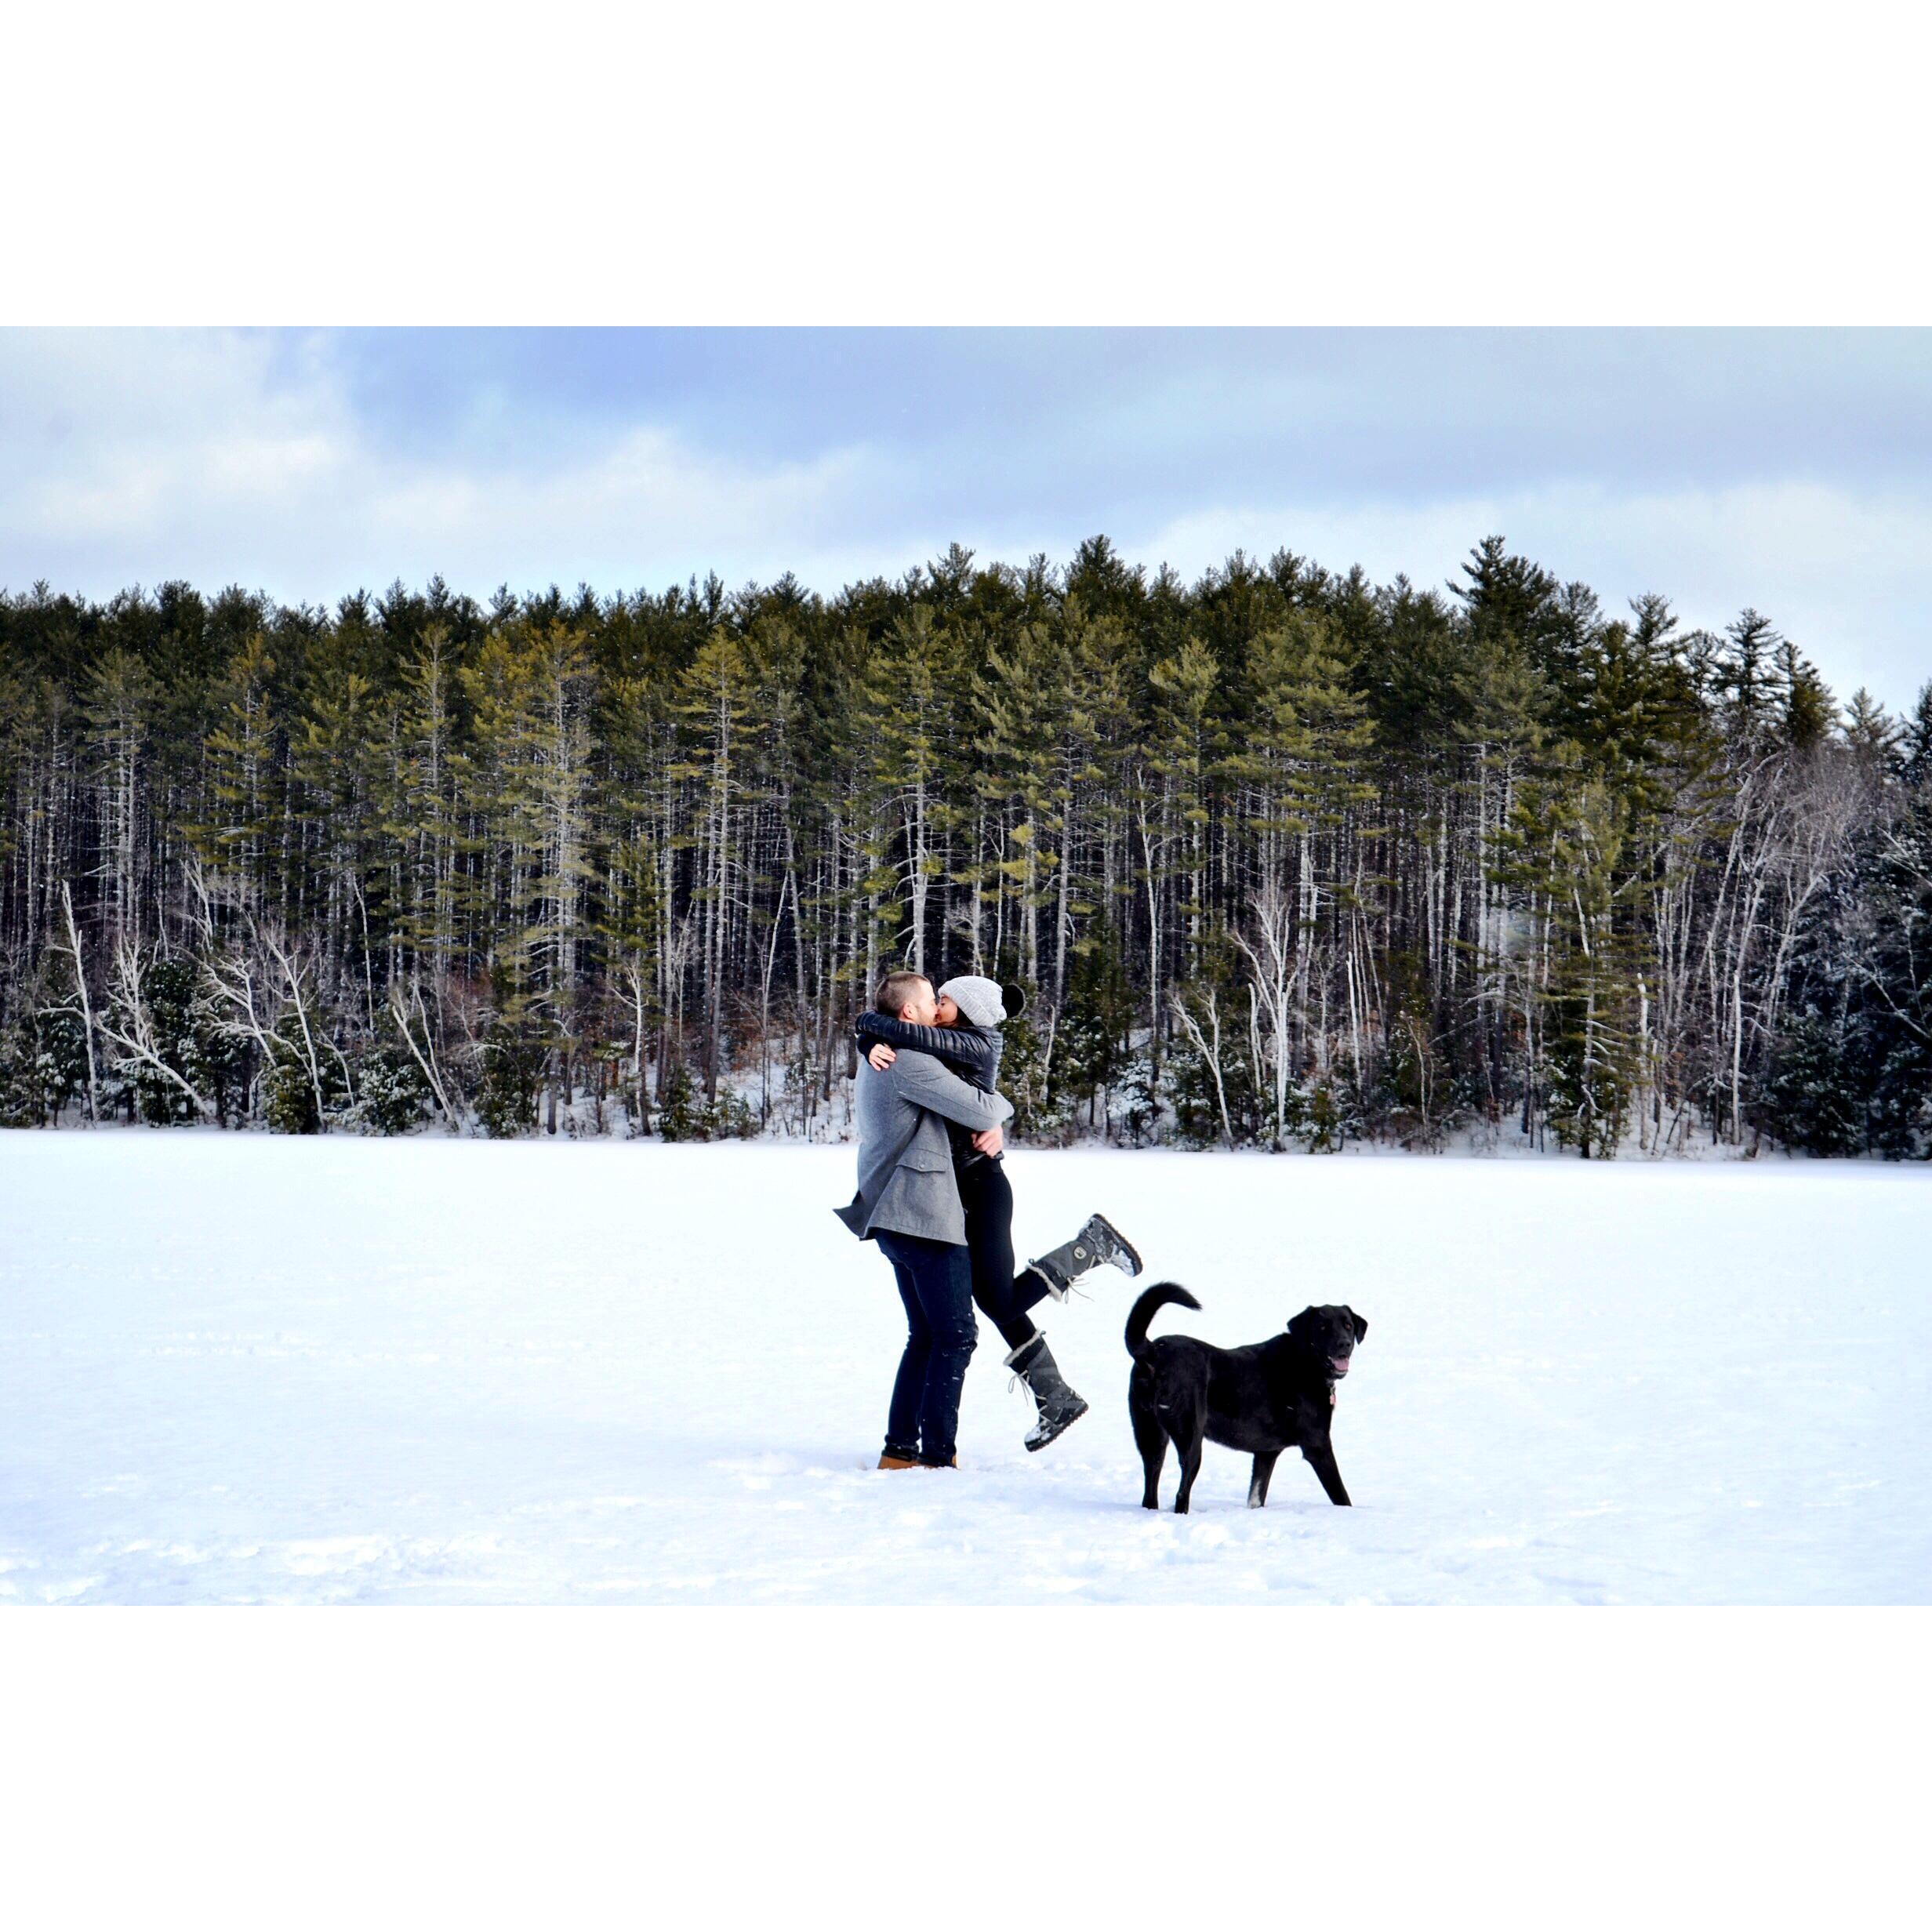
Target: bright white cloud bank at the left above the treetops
x,y
210,457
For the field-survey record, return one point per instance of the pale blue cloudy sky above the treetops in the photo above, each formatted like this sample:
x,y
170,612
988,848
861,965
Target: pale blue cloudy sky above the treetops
x,y
1786,470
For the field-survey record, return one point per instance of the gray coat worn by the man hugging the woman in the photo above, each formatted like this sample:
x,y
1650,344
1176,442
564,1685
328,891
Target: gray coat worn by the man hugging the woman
x,y
905,1162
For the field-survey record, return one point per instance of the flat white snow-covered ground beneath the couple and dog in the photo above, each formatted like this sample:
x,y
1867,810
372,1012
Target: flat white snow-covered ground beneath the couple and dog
x,y
248,1369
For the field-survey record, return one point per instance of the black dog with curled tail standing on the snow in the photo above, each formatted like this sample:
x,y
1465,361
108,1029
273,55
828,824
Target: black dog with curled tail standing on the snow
x,y
1272,1396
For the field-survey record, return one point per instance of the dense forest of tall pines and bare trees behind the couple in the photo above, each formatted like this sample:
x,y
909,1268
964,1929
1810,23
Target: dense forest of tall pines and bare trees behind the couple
x,y
1282,855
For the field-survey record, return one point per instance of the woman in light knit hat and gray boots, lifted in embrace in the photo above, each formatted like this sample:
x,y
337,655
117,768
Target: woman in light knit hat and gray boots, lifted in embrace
x,y
967,1038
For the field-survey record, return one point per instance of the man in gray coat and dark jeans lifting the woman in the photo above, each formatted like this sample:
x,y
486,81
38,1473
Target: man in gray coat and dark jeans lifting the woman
x,y
909,1203
